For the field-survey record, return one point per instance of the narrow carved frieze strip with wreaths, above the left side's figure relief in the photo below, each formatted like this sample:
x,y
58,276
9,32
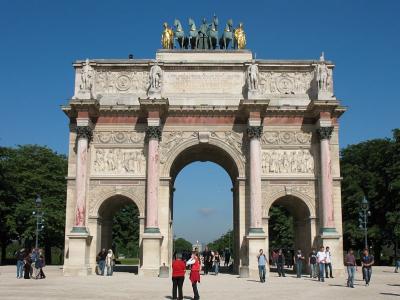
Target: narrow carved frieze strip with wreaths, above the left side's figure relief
x,y
118,137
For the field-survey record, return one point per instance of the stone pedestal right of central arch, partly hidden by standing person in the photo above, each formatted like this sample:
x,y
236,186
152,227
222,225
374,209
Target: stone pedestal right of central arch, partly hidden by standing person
x,y
256,241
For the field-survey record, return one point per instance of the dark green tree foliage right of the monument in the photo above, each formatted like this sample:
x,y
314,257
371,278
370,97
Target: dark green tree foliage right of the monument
x,y
372,169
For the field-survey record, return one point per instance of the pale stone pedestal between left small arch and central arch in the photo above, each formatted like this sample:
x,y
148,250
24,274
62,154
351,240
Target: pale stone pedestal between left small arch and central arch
x,y
151,262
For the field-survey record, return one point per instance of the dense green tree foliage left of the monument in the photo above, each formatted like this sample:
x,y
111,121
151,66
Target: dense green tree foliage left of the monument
x,y
26,172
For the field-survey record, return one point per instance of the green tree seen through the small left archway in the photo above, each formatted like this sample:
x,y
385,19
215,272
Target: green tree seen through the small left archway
x,y
125,231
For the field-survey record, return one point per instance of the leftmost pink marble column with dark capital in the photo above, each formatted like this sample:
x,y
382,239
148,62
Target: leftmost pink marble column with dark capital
x,y
84,134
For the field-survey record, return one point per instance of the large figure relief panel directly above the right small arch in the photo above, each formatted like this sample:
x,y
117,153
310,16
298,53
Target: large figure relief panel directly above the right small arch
x,y
287,162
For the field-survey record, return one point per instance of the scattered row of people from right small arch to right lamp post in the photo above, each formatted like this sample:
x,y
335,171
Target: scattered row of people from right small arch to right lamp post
x,y
320,264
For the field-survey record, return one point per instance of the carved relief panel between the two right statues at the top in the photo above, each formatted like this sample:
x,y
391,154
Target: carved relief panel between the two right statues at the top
x,y
286,83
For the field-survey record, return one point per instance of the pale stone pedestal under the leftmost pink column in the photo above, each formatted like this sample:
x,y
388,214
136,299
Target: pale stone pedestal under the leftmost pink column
x,y
78,254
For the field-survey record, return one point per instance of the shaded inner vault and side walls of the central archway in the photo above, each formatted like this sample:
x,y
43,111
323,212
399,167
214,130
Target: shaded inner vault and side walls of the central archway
x,y
211,153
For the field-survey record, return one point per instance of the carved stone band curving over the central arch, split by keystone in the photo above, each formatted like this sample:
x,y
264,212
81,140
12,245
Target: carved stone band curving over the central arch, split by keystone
x,y
176,151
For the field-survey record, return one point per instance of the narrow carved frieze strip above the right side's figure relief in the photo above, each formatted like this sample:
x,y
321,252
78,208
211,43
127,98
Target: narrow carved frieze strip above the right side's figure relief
x,y
286,137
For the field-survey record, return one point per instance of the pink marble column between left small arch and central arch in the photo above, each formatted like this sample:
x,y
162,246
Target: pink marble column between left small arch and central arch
x,y
153,136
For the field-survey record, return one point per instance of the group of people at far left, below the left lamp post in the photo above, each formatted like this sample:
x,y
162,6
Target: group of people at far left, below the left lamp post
x,y
30,263
